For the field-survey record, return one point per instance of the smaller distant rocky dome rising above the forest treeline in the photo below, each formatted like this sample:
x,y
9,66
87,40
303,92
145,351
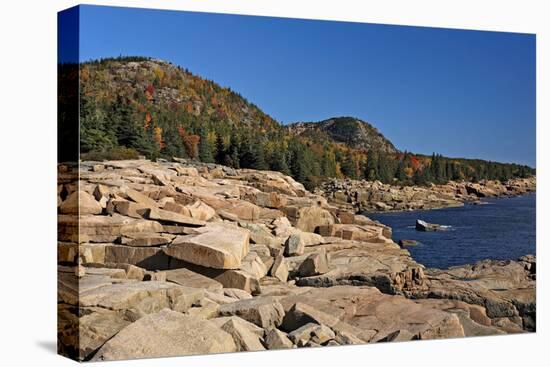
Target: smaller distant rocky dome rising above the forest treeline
x,y
350,131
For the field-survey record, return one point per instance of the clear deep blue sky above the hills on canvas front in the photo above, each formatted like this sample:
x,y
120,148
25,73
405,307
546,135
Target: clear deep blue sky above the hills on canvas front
x,y
458,93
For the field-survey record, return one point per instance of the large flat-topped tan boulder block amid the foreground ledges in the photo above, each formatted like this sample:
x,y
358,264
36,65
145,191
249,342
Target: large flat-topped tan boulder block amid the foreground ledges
x,y
214,246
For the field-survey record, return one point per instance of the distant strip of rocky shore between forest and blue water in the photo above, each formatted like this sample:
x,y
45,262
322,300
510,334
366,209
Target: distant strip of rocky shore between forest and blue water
x,y
374,196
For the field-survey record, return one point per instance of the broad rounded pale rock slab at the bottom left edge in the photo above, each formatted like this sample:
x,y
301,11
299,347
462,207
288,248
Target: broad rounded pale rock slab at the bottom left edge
x,y
163,334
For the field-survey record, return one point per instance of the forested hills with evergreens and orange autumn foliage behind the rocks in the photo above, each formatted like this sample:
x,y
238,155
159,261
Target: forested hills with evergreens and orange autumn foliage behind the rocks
x,y
131,106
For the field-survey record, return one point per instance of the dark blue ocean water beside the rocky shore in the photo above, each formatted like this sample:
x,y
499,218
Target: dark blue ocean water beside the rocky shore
x,y
503,229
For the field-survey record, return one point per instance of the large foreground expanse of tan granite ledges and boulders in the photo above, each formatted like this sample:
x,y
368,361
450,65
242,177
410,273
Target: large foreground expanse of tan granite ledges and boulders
x,y
179,258
